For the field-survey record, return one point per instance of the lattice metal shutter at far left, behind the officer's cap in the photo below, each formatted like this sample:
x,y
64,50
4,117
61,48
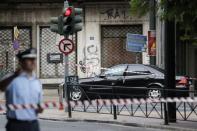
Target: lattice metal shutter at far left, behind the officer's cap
x,y
7,52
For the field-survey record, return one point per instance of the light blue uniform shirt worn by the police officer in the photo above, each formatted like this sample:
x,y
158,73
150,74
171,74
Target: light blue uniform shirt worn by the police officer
x,y
24,90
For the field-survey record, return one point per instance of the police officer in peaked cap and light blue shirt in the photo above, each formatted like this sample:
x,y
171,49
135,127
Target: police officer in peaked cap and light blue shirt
x,y
25,88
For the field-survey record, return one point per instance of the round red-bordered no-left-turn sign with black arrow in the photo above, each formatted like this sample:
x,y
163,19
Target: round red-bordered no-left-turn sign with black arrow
x,y
66,46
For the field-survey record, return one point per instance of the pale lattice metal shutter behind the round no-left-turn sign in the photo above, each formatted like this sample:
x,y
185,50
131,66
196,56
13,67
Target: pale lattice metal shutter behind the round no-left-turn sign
x,y
49,44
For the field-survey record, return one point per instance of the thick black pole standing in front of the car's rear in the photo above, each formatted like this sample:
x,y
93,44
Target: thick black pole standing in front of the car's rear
x,y
170,40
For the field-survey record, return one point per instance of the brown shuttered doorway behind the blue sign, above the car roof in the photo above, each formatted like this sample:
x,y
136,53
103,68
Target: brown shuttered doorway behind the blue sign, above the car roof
x,y
114,44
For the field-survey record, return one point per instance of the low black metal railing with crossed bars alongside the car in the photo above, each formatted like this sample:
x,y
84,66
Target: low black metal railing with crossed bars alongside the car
x,y
184,110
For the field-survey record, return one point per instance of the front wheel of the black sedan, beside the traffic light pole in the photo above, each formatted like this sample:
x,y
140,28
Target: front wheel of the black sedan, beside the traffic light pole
x,y
76,93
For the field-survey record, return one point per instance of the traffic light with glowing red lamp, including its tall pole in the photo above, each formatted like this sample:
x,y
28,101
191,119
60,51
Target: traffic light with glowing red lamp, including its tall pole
x,y
67,24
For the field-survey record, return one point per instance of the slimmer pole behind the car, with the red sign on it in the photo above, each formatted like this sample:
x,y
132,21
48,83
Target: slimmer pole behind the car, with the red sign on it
x,y
152,25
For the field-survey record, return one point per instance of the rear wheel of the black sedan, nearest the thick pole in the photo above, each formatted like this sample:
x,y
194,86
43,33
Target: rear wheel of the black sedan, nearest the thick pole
x,y
154,93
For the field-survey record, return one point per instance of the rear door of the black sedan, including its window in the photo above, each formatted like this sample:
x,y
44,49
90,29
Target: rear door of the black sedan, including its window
x,y
136,80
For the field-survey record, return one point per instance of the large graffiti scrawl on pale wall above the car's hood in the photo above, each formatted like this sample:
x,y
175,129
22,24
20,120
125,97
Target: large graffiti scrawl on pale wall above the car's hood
x,y
91,60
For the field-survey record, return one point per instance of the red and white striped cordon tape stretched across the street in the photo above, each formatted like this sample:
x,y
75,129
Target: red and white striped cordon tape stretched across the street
x,y
97,102
